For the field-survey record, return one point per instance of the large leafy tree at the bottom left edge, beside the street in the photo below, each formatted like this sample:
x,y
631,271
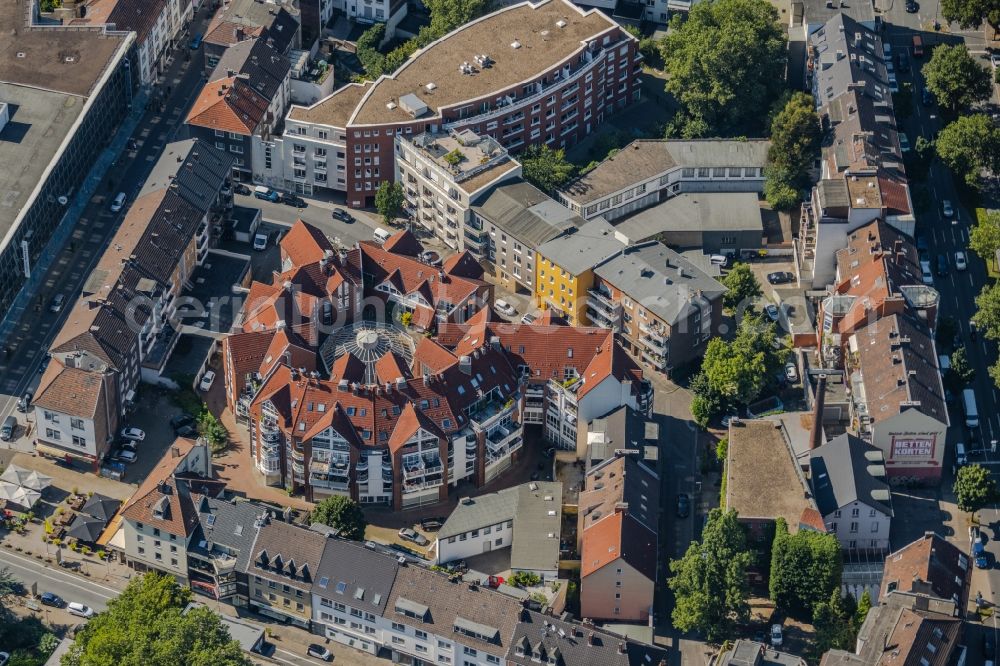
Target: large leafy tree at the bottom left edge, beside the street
x,y
145,626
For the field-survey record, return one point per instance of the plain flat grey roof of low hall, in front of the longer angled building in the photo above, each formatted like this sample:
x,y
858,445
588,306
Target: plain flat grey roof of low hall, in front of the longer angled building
x,y
697,211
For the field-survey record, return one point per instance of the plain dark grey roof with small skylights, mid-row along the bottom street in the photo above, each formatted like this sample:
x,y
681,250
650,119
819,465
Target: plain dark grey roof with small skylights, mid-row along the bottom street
x,y
361,577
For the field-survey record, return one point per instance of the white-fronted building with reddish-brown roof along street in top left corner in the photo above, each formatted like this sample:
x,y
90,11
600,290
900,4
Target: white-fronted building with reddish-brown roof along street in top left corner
x,y
156,26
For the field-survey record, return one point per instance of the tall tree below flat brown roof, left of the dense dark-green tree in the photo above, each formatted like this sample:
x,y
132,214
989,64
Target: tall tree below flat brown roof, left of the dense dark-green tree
x,y
710,581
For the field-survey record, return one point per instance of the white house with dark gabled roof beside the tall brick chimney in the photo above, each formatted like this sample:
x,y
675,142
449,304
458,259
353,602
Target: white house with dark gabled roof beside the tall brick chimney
x,y
847,477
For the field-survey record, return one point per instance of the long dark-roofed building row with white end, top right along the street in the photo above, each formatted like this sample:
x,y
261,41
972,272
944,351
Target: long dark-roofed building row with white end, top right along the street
x,y
862,176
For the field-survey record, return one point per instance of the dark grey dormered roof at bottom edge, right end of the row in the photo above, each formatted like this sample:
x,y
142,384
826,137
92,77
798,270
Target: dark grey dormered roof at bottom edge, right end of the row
x,y
576,645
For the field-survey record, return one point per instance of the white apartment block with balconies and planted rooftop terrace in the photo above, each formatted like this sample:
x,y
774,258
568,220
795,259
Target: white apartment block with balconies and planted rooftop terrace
x,y
443,175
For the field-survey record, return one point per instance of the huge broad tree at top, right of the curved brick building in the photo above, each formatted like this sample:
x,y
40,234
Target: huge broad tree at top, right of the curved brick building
x,y
726,60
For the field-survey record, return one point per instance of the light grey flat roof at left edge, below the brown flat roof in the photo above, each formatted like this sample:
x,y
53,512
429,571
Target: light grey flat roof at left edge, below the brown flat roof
x,y
40,120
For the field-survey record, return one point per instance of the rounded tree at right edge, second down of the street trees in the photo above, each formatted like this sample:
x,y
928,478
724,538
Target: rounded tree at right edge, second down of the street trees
x,y
970,145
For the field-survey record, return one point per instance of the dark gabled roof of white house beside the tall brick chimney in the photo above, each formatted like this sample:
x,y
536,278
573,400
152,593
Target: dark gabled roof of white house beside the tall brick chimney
x,y
848,469
